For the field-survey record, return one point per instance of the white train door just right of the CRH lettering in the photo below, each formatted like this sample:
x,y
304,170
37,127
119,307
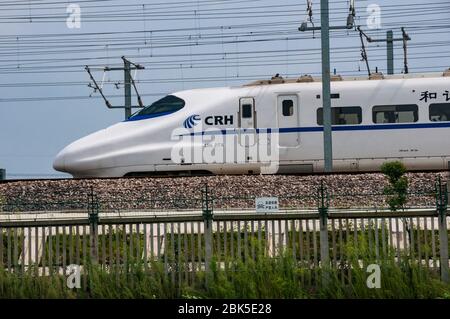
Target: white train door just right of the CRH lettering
x,y
247,123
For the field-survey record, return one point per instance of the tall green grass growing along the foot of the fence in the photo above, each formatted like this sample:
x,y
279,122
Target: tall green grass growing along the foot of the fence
x,y
262,277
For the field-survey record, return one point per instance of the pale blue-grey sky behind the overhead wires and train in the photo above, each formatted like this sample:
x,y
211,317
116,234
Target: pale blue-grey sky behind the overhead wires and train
x,y
45,101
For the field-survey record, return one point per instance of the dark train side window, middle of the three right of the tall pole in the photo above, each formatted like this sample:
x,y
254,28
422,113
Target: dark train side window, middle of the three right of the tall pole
x,y
405,113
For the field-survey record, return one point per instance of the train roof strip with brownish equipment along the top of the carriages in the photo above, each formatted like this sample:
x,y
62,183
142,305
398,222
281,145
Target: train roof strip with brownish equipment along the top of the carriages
x,y
277,79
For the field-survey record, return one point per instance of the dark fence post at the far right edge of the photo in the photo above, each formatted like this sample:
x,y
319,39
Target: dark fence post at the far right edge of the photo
x,y
441,205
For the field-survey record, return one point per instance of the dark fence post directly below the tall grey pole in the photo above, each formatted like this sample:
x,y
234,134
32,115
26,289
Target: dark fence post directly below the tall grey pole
x,y
323,204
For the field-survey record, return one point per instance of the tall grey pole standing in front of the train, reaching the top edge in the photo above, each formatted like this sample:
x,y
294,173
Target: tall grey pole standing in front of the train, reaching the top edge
x,y
325,38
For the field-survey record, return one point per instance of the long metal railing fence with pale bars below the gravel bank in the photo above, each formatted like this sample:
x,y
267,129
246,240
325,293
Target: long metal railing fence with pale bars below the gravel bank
x,y
45,243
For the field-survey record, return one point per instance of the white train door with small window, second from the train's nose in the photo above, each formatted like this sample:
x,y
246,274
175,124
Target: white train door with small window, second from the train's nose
x,y
288,118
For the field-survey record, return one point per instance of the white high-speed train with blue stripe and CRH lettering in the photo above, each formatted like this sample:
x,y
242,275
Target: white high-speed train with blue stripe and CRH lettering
x,y
375,119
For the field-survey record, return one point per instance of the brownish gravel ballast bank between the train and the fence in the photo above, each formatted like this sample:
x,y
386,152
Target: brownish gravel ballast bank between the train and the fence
x,y
230,191
